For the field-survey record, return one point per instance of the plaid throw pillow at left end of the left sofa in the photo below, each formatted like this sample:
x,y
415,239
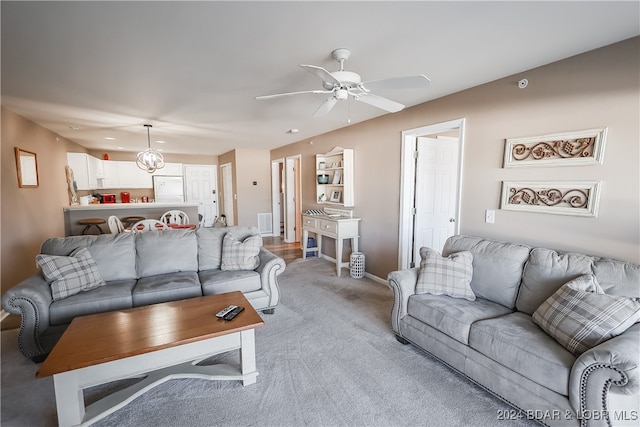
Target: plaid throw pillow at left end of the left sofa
x,y
68,275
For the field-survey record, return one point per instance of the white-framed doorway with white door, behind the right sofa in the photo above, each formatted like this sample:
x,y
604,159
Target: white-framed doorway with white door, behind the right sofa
x,y
431,185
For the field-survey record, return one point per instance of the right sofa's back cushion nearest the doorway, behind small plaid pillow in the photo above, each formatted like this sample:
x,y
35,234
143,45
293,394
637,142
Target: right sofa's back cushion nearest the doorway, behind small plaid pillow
x,y
497,266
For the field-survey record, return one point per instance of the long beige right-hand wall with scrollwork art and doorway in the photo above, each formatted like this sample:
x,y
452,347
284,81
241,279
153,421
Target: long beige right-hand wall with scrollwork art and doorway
x,y
593,90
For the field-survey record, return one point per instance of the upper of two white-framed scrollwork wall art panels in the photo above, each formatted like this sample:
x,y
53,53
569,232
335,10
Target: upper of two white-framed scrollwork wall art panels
x,y
562,149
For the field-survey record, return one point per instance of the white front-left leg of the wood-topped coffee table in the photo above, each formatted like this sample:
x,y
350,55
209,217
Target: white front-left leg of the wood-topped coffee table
x,y
69,399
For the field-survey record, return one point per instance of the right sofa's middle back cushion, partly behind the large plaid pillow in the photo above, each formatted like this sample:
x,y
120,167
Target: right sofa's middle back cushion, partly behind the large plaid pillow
x,y
547,270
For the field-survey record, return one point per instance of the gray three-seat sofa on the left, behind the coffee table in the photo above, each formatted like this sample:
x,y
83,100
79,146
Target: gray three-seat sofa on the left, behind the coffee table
x,y
139,269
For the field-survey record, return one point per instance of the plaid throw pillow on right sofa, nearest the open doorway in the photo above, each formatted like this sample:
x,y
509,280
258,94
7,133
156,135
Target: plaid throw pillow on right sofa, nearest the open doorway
x,y
446,276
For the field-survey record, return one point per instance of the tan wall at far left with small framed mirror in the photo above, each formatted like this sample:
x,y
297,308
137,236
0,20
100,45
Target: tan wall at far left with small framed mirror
x,y
30,215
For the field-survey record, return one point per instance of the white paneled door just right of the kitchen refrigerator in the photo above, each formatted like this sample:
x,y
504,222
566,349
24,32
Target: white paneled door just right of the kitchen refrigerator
x,y
201,186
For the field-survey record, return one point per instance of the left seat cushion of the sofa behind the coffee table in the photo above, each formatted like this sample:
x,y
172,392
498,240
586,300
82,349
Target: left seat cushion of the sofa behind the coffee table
x,y
115,295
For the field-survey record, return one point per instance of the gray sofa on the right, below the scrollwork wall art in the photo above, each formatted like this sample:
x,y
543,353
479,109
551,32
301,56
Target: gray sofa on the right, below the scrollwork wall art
x,y
495,342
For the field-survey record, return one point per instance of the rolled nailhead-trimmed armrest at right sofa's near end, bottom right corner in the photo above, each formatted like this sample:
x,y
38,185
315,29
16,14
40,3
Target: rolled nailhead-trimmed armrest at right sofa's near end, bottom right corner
x,y
612,366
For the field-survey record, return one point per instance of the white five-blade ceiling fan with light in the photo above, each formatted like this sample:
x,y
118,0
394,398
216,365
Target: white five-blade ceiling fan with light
x,y
342,84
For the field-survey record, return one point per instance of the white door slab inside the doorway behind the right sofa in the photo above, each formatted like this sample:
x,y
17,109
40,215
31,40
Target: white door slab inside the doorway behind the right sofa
x,y
436,193
